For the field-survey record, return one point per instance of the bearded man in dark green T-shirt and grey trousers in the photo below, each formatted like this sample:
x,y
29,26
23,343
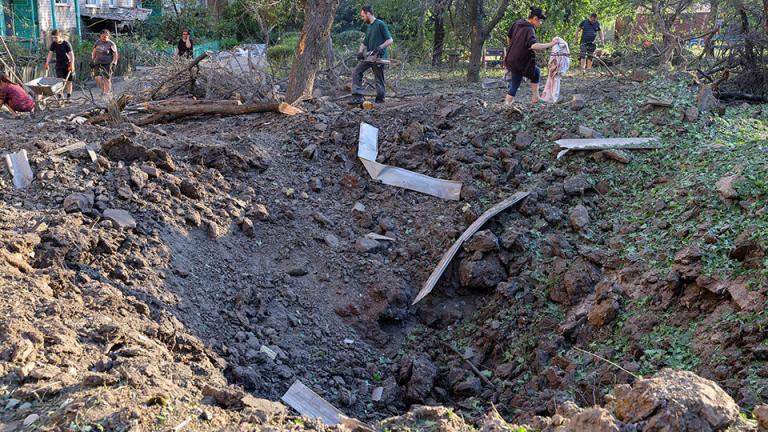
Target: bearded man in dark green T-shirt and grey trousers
x,y
374,47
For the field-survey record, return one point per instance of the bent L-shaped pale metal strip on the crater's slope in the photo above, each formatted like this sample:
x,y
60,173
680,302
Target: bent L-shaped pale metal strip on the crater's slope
x,y
368,151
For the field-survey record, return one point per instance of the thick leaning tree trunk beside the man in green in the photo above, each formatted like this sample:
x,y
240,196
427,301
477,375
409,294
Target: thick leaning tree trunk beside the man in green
x,y
318,19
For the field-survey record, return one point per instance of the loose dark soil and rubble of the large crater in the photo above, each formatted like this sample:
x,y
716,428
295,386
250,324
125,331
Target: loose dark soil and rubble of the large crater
x,y
249,240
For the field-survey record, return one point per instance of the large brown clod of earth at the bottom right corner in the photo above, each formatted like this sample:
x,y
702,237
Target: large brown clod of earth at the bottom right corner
x,y
676,400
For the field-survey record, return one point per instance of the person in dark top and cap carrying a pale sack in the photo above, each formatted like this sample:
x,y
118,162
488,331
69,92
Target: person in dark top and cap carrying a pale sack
x,y
520,60
